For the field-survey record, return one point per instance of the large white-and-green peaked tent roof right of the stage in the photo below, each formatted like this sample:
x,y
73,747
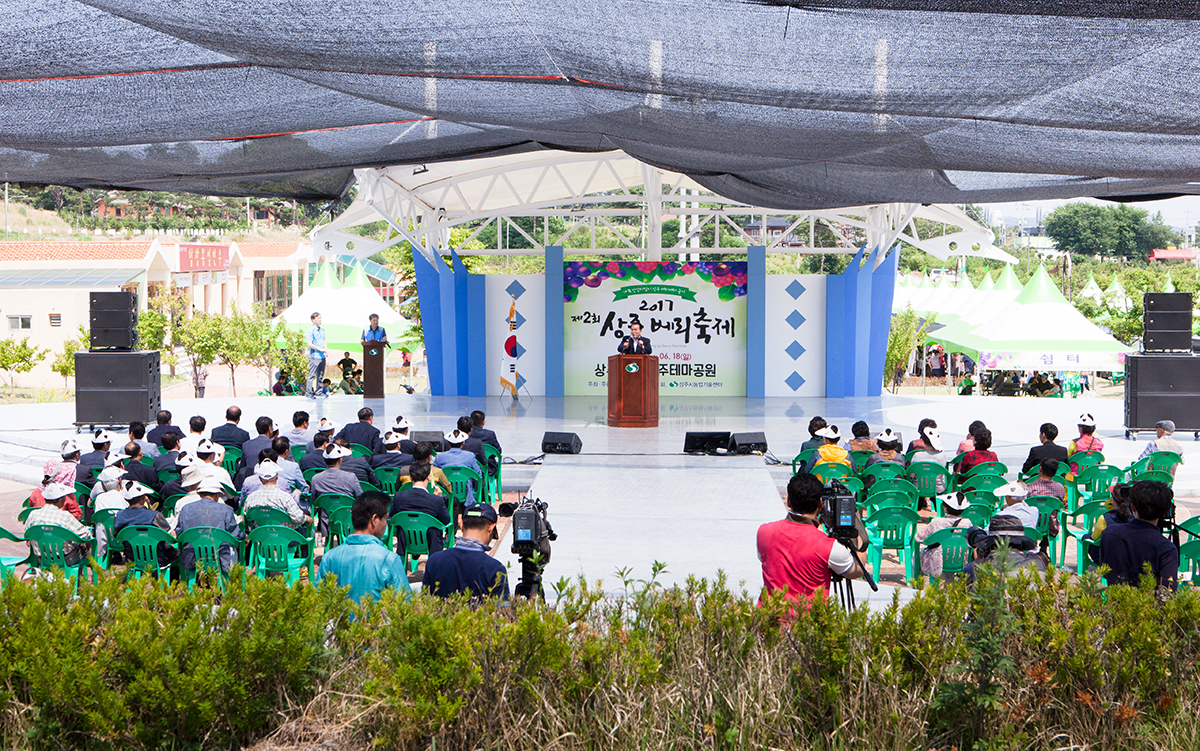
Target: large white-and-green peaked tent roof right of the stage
x,y
1037,331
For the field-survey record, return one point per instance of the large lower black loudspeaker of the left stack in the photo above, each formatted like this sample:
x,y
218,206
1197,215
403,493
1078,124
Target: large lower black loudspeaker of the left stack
x,y
116,388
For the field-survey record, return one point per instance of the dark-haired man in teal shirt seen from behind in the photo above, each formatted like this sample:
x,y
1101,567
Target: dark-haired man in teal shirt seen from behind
x,y
363,562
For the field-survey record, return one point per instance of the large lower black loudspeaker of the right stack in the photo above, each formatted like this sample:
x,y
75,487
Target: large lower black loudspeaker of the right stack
x,y
1162,388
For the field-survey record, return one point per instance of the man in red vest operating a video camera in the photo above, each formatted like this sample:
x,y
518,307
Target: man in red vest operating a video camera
x,y
796,556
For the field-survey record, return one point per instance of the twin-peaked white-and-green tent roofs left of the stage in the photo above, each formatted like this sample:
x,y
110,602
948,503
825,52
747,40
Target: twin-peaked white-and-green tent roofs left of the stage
x,y
345,310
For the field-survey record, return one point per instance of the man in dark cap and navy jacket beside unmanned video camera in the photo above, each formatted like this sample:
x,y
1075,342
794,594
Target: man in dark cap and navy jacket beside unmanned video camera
x,y
467,568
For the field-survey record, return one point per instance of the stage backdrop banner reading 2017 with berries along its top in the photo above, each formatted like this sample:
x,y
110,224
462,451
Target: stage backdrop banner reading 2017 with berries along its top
x,y
694,315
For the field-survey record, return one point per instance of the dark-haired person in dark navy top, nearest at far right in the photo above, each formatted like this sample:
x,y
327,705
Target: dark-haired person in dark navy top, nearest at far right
x,y
1129,550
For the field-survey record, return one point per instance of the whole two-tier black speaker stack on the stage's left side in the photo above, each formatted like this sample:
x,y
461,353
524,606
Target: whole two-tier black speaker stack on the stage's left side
x,y
115,383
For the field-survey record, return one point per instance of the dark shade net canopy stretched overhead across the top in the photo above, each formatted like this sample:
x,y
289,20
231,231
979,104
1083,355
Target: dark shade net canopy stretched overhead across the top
x,y
778,104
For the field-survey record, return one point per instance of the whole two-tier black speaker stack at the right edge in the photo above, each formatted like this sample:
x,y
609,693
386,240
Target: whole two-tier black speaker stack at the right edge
x,y
1163,381
